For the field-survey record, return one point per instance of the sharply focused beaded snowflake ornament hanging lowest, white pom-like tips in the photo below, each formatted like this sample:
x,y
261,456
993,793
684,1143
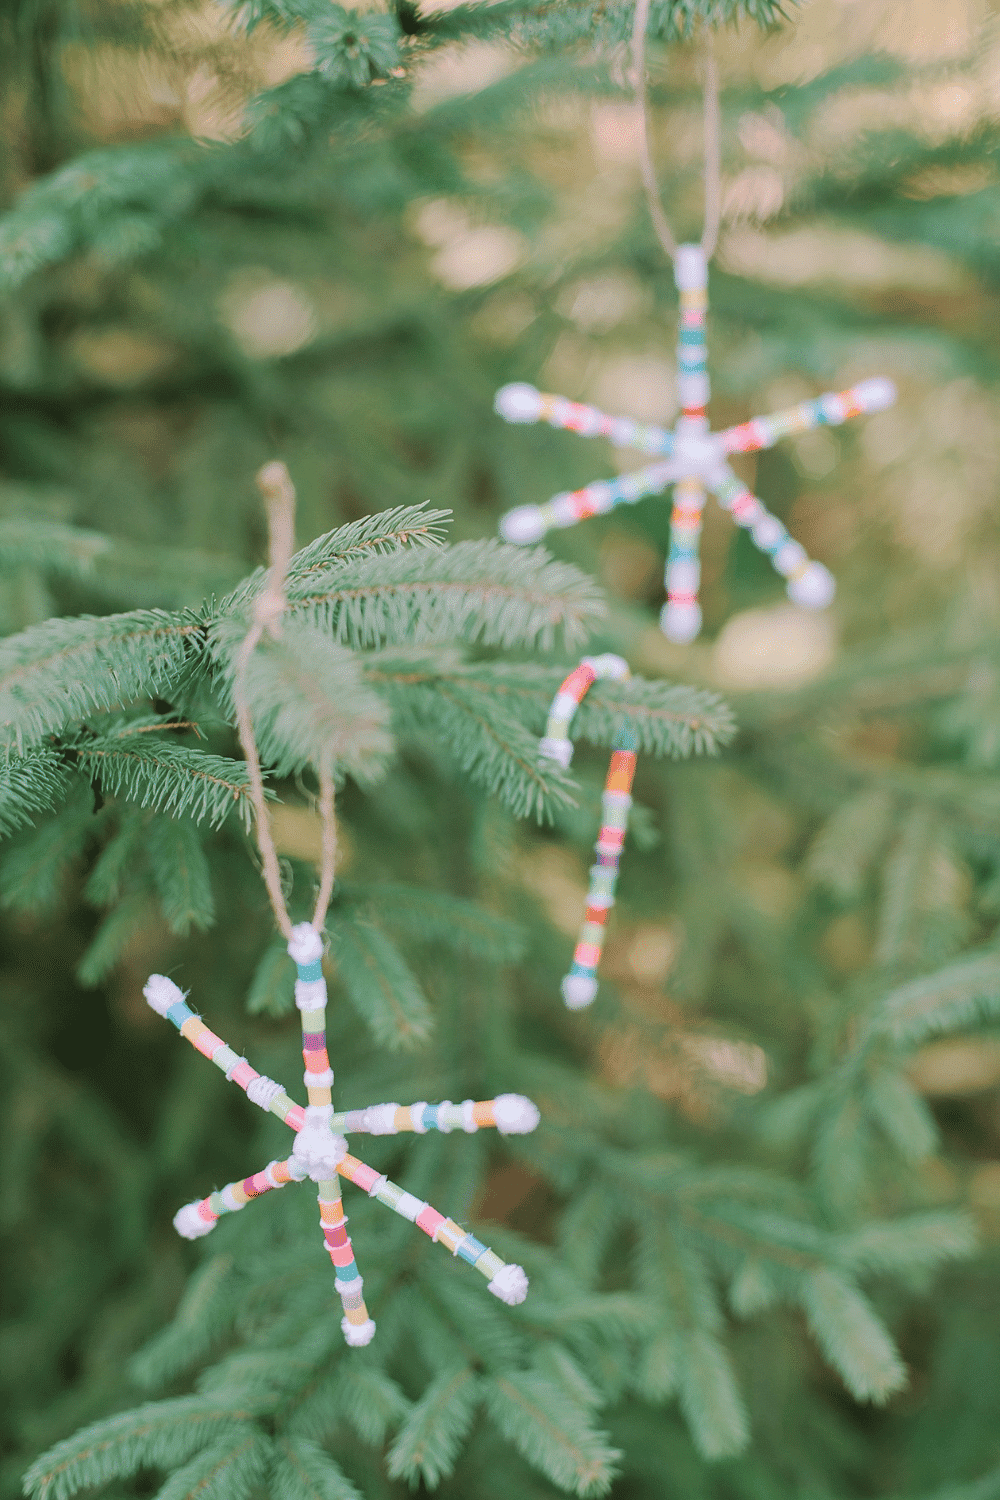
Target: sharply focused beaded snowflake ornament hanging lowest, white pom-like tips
x,y
322,1150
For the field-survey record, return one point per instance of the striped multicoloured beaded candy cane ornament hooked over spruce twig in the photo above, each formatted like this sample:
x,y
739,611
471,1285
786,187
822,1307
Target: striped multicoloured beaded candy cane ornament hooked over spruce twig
x,y
579,986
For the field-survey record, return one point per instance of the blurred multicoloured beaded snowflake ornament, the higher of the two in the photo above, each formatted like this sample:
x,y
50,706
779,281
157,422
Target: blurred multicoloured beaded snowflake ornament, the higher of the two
x,y
692,460
